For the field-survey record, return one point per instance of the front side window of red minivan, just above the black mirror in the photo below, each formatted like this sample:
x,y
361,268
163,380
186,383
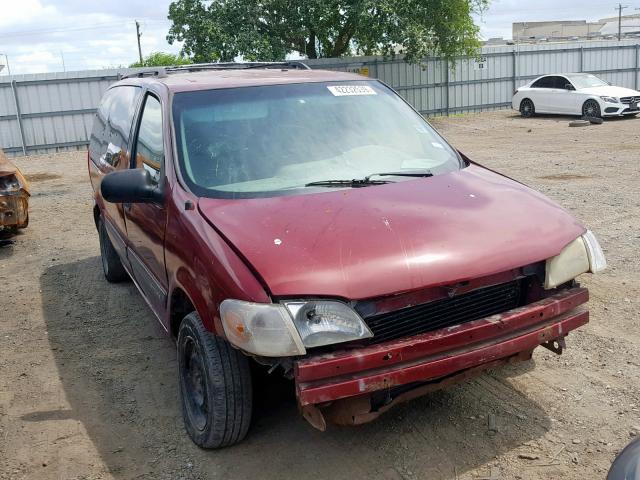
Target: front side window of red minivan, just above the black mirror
x,y
149,143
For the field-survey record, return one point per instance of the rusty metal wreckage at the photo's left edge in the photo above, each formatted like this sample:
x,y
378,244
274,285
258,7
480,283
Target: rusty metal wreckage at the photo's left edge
x,y
14,197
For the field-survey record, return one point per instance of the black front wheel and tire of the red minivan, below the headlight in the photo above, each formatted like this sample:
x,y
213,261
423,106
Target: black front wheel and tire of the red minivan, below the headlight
x,y
215,386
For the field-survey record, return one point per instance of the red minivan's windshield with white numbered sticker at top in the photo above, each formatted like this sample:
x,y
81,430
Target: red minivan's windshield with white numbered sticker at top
x,y
277,140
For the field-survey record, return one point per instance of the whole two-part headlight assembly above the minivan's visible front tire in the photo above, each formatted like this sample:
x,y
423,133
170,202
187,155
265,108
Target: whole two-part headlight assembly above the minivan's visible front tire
x,y
274,330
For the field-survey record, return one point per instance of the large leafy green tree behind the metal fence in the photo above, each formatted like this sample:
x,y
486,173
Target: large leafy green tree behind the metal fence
x,y
272,29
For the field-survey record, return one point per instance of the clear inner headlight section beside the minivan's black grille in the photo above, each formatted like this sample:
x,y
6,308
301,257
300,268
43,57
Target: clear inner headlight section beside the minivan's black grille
x,y
327,322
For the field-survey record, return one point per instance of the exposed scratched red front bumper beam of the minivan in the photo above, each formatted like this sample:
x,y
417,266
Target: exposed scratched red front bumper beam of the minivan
x,y
355,386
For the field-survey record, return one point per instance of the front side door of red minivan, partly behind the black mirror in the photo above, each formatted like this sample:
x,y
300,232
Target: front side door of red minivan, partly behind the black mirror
x,y
146,222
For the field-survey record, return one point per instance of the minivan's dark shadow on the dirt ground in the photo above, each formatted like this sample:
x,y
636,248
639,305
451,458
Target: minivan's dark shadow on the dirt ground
x,y
118,371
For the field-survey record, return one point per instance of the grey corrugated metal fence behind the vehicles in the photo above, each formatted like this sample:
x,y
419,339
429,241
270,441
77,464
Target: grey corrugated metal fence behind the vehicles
x,y
51,112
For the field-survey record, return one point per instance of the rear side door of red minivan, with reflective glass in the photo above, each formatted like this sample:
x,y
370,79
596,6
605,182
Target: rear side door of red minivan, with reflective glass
x,y
109,151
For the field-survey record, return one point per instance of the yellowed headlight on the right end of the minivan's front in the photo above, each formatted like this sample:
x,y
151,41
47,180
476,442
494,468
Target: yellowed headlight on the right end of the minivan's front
x,y
582,255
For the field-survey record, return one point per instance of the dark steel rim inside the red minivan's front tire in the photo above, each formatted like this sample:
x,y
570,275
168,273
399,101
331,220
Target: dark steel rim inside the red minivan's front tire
x,y
194,387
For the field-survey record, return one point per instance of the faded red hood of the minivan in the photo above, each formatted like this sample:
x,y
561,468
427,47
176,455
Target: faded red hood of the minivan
x,y
376,241
